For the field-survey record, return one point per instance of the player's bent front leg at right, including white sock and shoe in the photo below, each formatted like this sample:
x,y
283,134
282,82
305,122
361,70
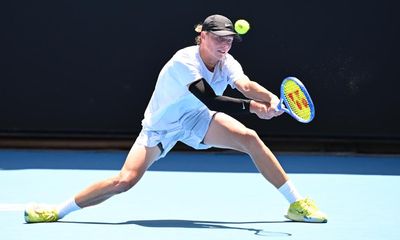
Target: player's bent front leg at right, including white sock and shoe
x,y
226,132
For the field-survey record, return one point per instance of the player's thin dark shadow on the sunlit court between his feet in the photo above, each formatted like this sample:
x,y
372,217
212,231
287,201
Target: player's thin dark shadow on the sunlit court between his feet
x,y
173,223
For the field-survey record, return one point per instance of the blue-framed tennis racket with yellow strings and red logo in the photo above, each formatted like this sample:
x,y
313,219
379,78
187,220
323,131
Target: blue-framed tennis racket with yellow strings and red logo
x,y
296,101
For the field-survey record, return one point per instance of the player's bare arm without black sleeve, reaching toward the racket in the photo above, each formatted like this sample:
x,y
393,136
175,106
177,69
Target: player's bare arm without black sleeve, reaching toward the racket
x,y
252,90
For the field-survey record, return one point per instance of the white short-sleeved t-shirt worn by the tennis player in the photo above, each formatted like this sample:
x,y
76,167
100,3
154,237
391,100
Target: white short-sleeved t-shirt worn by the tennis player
x,y
172,102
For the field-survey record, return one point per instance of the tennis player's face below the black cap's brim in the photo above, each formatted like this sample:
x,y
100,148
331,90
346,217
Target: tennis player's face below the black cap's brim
x,y
217,46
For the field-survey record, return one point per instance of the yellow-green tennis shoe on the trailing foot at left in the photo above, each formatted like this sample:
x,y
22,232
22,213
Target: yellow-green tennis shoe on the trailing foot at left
x,y
40,213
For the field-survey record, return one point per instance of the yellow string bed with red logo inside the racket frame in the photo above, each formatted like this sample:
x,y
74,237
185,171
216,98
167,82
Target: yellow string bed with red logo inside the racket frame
x,y
297,100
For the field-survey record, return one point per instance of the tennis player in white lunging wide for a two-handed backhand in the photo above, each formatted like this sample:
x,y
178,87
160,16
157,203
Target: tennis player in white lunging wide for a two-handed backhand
x,y
187,105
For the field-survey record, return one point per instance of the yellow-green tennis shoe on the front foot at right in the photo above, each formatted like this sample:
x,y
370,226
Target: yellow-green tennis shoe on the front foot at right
x,y
305,210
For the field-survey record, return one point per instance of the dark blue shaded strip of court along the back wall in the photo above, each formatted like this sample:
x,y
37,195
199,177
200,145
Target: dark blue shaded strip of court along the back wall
x,y
201,161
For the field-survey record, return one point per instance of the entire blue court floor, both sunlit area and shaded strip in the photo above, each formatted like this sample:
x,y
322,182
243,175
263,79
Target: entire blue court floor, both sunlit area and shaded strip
x,y
200,195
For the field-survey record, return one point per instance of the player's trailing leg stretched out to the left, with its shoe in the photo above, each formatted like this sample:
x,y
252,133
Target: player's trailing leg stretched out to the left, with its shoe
x,y
137,162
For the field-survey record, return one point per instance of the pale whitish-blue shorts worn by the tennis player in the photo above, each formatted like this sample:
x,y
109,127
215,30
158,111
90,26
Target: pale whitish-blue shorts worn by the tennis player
x,y
192,133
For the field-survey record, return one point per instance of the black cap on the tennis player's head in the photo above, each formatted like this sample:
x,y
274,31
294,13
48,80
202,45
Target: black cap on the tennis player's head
x,y
219,25
